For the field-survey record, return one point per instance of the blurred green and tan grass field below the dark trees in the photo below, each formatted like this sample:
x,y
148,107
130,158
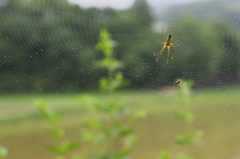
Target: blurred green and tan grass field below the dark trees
x,y
25,134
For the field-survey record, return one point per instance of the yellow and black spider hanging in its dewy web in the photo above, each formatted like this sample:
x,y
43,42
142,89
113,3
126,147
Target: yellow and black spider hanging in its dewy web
x,y
166,44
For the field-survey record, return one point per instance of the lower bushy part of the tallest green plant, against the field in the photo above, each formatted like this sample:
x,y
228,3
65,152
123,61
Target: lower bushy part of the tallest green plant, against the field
x,y
109,130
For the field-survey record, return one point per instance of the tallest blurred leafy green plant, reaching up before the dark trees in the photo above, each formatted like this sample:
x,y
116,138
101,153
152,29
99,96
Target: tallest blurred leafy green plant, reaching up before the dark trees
x,y
110,128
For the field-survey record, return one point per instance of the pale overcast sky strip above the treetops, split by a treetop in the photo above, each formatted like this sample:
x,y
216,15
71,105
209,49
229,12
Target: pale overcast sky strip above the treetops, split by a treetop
x,y
122,4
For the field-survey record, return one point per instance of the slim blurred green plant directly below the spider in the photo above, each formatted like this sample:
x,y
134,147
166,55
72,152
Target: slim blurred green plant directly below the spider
x,y
184,113
